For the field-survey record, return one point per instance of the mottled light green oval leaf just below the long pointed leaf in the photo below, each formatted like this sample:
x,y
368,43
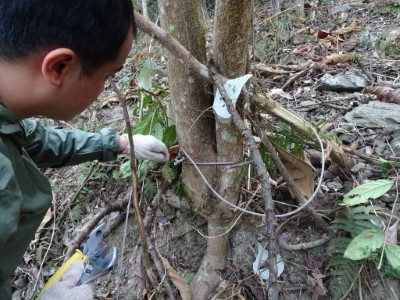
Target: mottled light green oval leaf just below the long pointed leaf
x,y
364,244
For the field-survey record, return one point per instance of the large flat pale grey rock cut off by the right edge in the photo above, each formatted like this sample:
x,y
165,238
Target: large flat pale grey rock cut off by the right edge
x,y
375,114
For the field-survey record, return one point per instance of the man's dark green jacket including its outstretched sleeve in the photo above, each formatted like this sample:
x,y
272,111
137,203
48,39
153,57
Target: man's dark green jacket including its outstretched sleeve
x,y
25,193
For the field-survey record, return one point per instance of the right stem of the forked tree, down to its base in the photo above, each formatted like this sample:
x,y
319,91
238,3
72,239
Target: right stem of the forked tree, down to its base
x,y
230,47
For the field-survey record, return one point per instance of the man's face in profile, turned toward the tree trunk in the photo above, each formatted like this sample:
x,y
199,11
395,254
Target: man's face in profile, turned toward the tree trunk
x,y
84,91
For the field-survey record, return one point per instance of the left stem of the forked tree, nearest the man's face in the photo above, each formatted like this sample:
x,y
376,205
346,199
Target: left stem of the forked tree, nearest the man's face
x,y
182,19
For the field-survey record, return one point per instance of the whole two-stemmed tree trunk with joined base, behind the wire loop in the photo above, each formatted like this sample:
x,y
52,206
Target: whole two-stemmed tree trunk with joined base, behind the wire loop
x,y
202,138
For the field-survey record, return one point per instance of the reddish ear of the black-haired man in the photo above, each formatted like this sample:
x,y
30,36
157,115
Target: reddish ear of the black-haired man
x,y
58,64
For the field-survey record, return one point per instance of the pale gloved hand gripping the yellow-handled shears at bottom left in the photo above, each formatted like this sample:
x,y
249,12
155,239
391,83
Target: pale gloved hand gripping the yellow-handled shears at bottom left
x,y
66,289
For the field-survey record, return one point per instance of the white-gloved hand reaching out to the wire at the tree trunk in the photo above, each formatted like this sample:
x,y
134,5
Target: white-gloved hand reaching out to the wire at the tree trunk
x,y
147,147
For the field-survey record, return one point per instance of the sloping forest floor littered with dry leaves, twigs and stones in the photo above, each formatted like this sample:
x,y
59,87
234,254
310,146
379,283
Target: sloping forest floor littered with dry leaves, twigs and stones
x,y
289,57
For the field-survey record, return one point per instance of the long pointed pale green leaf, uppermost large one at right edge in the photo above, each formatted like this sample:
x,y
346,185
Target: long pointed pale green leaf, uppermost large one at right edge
x,y
372,189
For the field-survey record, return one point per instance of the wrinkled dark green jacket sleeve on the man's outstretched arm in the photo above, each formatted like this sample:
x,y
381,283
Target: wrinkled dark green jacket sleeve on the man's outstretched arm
x,y
50,147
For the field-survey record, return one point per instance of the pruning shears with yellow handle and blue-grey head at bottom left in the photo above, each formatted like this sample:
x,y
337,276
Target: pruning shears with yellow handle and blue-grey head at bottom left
x,y
97,263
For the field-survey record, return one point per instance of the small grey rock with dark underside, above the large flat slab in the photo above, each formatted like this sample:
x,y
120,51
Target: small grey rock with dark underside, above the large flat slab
x,y
344,82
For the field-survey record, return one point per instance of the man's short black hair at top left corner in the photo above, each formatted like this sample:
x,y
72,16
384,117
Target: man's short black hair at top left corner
x,y
94,29
